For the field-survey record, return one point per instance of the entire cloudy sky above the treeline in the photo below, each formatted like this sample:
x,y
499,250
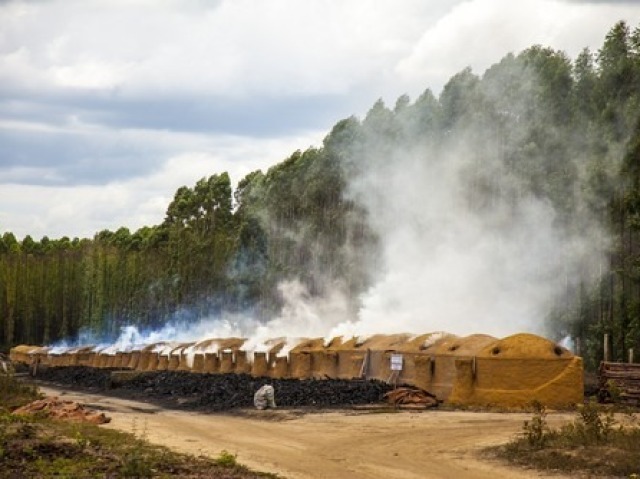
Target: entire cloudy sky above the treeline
x,y
108,106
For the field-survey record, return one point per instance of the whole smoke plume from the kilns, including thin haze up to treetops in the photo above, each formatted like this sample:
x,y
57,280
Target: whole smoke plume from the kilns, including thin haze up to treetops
x,y
475,203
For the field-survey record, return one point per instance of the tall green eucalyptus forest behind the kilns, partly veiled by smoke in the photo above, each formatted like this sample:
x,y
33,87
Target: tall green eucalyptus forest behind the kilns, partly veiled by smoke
x,y
564,131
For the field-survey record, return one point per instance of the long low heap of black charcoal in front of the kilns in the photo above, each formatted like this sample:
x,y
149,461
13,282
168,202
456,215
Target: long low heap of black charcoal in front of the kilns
x,y
216,392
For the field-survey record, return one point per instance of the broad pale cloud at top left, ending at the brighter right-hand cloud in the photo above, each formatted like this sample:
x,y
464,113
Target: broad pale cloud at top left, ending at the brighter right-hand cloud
x,y
238,47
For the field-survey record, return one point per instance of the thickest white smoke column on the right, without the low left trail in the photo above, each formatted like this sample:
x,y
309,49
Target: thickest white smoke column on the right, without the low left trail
x,y
448,266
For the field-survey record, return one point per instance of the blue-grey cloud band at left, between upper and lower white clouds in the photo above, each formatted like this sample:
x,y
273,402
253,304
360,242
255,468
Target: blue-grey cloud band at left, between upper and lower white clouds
x,y
91,153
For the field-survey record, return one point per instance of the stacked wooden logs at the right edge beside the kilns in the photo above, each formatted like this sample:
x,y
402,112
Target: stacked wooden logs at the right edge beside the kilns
x,y
619,382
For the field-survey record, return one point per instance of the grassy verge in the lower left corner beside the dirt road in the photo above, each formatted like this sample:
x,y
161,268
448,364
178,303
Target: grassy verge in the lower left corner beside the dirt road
x,y
37,447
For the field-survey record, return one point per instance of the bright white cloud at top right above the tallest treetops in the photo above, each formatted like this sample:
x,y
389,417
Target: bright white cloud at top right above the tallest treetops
x,y
478,33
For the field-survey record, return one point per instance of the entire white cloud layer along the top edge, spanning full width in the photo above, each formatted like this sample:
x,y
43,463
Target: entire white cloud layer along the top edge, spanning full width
x,y
281,47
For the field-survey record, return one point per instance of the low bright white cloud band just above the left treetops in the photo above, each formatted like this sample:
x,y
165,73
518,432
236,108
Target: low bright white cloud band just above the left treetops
x,y
58,210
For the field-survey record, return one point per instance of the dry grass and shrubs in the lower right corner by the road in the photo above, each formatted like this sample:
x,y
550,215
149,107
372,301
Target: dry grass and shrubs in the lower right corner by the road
x,y
594,443
